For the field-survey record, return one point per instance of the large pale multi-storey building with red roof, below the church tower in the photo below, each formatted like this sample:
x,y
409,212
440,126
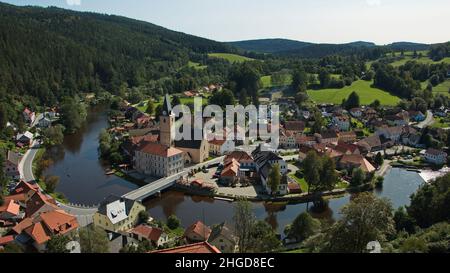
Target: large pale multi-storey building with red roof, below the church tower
x,y
158,160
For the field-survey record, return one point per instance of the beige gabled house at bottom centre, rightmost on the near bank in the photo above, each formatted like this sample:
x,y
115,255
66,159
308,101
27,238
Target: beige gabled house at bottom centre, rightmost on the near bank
x,y
223,238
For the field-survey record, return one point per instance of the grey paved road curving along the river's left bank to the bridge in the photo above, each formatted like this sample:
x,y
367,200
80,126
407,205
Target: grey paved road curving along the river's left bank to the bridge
x,y
84,215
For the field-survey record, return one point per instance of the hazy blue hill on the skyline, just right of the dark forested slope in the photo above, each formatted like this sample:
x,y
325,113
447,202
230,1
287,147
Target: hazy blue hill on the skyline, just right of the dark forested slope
x,y
269,45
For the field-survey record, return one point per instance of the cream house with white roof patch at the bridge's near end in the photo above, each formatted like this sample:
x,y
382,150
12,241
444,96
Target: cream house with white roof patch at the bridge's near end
x,y
117,214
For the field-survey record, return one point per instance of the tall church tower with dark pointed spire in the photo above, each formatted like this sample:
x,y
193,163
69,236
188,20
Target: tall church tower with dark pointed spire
x,y
167,124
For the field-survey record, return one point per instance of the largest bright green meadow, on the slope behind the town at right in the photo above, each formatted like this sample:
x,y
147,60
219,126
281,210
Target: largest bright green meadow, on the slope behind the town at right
x,y
367,94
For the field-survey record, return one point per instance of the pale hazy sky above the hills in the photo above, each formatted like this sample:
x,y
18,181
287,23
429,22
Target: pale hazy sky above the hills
x,y
320,21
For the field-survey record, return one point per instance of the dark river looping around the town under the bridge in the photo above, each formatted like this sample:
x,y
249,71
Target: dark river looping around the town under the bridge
x,y
82,180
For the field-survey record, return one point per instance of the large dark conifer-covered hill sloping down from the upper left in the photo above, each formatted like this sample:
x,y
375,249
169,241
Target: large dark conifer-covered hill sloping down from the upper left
x,y
51,52
